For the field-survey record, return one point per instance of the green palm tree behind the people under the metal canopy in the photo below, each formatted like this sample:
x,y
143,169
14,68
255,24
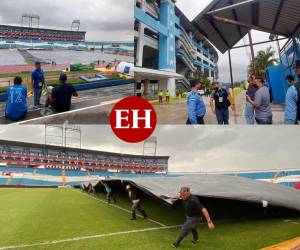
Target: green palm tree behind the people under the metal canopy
x,y
263,60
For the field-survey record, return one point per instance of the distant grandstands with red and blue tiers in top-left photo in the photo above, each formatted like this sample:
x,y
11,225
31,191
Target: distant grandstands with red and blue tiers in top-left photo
x,y
35,38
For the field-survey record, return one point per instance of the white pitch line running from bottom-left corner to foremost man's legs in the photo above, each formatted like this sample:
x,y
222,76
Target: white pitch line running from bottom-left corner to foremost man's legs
x,y
88,237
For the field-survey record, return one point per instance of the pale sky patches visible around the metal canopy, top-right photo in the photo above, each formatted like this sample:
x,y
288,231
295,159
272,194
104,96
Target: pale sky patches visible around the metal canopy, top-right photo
x,y
240,57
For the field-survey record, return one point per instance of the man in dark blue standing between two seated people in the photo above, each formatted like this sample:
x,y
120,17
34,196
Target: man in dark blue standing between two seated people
x,y
37,82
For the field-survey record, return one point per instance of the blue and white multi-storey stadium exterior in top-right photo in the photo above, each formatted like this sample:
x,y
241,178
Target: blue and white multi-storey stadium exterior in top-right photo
x,y
168,47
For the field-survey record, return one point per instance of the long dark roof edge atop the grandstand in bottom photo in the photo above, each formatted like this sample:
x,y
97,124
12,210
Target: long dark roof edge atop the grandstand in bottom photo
x,y
60,148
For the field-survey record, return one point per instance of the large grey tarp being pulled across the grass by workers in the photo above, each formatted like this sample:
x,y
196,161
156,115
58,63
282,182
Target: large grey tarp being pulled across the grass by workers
x,y
223,187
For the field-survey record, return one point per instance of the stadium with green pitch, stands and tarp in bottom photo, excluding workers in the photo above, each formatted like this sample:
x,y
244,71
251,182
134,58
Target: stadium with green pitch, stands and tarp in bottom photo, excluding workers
x,y
53,198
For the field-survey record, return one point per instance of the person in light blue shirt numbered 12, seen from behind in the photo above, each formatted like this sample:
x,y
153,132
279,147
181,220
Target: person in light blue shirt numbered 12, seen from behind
x,y
16,106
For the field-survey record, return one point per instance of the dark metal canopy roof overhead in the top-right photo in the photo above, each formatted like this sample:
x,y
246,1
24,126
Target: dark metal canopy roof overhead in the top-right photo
x,y
279,17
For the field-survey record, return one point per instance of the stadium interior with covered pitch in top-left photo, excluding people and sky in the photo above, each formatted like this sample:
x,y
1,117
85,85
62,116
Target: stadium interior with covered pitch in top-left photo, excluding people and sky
x,y
94,68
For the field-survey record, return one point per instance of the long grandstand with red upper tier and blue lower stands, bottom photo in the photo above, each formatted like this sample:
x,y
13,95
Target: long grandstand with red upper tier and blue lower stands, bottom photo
x,y
26,163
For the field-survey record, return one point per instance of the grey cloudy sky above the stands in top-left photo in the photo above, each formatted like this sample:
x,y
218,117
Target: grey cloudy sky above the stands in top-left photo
x,y
103,19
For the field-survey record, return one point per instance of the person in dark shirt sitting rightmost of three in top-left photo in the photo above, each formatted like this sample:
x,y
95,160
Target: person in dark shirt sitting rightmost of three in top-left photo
x,y
61,95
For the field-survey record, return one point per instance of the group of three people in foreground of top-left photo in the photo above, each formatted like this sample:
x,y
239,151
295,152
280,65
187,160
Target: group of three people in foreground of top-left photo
x,y
59,98
